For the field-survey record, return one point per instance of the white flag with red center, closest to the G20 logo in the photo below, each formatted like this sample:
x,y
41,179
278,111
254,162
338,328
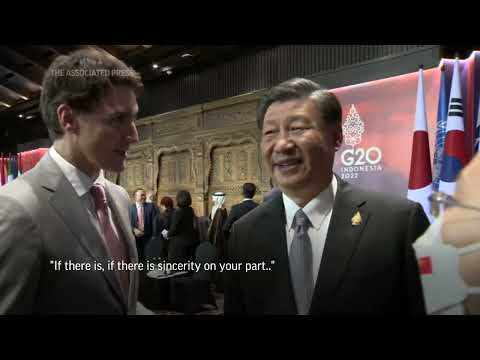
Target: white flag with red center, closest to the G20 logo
x,y
420,179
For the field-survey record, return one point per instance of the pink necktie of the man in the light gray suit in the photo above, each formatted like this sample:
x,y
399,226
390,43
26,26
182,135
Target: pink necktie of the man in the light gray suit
x,y
117,248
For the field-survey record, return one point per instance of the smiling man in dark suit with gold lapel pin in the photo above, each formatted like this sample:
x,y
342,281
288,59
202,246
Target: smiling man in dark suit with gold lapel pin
x,y
323,246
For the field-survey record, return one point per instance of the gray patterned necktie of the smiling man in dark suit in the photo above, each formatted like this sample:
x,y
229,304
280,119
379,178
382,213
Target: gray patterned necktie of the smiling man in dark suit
x,y
301,262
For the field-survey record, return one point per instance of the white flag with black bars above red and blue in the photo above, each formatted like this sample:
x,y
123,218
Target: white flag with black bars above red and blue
x,y
454,156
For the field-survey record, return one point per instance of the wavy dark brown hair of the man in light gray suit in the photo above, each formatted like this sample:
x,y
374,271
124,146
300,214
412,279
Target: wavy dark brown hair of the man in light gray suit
x,y
81,80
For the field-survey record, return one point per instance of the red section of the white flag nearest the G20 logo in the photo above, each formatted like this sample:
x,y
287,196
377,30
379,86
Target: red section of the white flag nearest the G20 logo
x,y
420,167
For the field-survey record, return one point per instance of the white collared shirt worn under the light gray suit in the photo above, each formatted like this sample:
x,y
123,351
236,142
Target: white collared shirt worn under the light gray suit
x,y
82,183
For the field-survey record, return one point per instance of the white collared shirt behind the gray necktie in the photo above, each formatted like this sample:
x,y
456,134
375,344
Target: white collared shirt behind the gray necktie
x,y
319,212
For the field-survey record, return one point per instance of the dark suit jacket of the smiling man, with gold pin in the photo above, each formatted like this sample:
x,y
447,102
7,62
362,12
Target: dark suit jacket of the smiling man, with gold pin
x,y
367,269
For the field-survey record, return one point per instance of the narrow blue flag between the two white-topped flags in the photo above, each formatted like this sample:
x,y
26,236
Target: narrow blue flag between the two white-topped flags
x,y
442,113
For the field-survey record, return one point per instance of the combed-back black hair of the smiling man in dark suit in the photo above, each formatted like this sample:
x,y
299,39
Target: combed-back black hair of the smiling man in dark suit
x,y
298,88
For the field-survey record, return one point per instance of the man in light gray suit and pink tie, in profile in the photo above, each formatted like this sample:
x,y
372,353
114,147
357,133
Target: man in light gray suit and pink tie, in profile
x,y
64,228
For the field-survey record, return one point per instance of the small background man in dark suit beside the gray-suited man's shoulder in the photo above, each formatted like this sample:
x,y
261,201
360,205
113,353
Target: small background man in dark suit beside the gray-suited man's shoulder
x,y
142,215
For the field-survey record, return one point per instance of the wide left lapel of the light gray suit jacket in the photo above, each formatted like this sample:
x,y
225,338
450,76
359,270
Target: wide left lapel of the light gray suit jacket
x,y
69,208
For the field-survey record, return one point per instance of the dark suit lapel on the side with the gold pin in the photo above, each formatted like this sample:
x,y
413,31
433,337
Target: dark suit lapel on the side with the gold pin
x,y
341,242
